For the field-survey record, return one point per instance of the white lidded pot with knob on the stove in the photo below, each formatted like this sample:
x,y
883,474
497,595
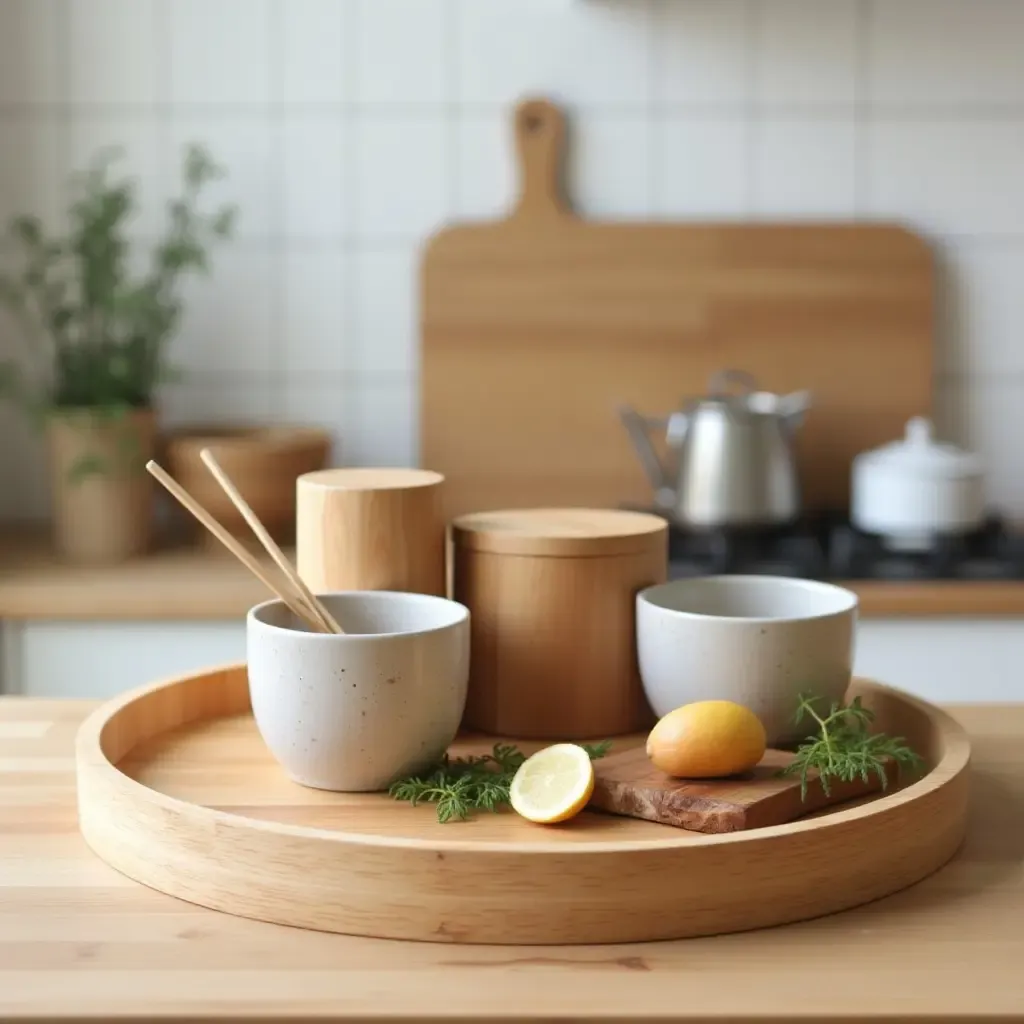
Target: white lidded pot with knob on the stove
x,y
912,491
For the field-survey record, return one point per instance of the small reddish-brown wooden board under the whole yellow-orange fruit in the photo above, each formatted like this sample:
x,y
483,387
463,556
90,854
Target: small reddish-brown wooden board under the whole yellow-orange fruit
x,y
629,785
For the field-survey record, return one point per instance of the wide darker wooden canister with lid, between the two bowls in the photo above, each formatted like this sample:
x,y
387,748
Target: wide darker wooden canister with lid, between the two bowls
x,y
552,596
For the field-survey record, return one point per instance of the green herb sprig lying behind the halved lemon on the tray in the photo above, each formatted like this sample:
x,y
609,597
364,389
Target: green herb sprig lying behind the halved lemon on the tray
x,y
461,786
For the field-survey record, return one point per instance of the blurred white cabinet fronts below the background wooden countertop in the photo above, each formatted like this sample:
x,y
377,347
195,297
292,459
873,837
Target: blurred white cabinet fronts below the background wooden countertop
x,y
942,660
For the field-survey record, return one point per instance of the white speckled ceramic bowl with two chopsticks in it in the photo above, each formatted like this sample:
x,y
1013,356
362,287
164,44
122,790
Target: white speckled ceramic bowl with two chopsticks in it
x,y
352,713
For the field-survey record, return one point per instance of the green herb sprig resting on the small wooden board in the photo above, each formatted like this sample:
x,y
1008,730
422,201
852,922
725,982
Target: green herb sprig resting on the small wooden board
x,y
845,749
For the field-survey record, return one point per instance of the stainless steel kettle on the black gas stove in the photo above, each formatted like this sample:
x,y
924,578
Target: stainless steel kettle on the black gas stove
x,y
731,459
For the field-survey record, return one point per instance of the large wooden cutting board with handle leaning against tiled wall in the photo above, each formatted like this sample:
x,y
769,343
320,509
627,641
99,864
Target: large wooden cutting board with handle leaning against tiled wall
x,y
536,327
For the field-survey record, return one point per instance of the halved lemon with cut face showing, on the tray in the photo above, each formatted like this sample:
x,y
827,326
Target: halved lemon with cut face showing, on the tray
x,y
553,785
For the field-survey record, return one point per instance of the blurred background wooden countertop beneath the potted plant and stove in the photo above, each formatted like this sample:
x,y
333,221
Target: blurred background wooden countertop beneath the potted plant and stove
x,y
198,583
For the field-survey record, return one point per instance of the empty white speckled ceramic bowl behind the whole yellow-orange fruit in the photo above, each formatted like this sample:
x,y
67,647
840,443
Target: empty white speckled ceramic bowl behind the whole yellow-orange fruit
x,y
759,642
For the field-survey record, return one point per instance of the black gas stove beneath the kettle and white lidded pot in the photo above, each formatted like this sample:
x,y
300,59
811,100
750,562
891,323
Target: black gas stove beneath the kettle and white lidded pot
x,y
826,546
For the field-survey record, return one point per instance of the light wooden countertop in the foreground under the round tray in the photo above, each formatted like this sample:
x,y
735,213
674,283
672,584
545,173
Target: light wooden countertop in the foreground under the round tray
x,y
80,943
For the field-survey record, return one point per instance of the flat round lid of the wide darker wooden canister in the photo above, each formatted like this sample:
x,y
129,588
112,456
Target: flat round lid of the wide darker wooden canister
x,y
561,533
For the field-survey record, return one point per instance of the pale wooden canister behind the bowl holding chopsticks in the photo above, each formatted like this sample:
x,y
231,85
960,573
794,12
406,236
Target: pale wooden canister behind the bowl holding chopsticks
x,y
371,530
